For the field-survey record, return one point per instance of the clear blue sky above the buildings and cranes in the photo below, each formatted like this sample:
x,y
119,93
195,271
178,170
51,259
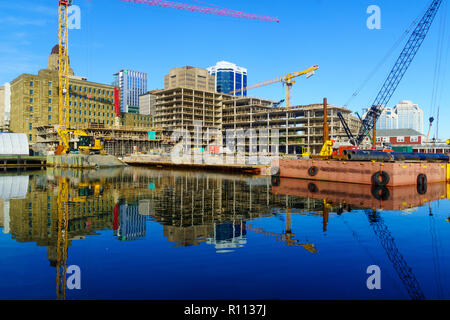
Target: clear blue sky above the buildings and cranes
x,y
333,34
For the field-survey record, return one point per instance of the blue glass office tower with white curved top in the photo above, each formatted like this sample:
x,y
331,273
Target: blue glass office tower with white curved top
x,y
229,77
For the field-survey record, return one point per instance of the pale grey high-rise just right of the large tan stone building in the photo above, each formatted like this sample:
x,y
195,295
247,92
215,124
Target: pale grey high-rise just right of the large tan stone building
x,y
131,84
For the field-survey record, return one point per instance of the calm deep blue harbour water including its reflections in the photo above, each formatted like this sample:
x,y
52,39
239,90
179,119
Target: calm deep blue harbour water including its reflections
x,y
154,234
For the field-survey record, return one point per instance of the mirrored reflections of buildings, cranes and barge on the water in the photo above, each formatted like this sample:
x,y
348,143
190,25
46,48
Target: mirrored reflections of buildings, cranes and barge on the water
x,y
55,207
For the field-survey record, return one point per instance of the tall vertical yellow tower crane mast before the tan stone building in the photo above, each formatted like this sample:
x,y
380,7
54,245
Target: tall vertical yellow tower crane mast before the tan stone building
x,y
63,76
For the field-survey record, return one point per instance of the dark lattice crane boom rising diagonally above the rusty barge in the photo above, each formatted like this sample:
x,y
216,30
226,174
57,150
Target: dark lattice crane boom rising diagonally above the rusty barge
x,y
398,71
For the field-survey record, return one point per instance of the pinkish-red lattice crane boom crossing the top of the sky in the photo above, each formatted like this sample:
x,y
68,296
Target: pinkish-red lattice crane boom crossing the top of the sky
x,y
216,11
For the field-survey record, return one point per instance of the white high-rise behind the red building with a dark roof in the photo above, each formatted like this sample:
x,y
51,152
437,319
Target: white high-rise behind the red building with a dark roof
x,y
405,115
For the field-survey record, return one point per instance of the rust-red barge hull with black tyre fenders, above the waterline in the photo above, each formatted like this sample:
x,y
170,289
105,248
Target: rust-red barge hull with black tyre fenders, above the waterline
x,y
361,172
